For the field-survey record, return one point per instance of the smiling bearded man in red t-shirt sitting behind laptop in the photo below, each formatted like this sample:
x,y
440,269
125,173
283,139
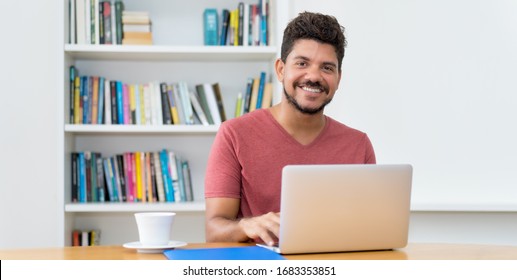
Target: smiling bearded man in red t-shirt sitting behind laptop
x,y
242,184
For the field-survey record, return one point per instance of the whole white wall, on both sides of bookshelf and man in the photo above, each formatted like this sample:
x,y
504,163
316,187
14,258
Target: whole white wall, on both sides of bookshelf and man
x,y
430,81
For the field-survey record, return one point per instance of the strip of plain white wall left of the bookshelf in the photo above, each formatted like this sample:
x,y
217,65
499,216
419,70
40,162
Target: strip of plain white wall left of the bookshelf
x,y
29,131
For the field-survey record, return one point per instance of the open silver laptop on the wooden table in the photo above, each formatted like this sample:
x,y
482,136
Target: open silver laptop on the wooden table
x,y
335,208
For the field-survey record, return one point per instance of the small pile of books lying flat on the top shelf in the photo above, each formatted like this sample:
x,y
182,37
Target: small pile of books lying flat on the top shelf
x,y
136,26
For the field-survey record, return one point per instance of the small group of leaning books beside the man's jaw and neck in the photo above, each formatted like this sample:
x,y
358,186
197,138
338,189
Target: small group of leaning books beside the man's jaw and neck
x,y
258,94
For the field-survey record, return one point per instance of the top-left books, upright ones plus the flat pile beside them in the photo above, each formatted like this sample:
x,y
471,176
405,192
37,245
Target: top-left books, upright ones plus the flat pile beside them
x,y
107,22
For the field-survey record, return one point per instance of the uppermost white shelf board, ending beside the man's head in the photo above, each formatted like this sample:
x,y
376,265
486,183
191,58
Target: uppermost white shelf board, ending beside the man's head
x,y
175,53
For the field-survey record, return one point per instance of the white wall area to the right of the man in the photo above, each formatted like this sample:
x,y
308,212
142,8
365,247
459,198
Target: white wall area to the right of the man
x,y
432,83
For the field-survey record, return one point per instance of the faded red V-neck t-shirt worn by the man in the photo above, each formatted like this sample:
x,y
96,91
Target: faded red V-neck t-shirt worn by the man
x,y
249,152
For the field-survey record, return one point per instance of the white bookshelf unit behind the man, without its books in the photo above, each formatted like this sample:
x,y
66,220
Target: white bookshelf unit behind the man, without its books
x,y
177,54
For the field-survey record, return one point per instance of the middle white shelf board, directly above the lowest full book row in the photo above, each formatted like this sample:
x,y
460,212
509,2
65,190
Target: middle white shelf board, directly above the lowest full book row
x,y
162,129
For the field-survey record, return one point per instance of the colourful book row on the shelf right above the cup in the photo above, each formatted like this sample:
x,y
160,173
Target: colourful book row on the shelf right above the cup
x,y
159,176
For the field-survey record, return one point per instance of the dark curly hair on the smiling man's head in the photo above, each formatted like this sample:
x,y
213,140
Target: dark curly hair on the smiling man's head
x,y
315,26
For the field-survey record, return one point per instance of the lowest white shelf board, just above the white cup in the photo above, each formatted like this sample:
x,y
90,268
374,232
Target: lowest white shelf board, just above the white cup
x,y
134,207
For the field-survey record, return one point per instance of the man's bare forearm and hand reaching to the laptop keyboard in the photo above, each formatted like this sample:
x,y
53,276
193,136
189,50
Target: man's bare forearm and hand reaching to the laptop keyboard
x,y
222,224
